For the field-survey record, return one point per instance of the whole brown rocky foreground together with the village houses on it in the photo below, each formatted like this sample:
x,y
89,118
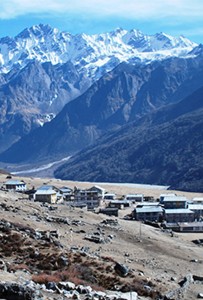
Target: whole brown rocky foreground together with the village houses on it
x,y
82,240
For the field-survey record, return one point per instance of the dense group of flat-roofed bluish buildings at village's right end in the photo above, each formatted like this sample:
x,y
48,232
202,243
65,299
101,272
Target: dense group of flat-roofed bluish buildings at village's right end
x,y
176,212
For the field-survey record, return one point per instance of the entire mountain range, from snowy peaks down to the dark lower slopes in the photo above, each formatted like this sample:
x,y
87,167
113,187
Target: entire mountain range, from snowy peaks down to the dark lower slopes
x,y
62,94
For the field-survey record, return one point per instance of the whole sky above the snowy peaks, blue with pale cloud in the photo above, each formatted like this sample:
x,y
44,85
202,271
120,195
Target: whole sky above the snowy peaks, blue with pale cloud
x,y
175,17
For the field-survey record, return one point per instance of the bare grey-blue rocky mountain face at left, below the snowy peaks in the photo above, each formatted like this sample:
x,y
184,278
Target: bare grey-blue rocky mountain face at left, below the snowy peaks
x,y
33,95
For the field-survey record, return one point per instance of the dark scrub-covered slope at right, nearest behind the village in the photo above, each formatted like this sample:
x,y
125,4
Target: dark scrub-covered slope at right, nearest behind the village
x,y
164,147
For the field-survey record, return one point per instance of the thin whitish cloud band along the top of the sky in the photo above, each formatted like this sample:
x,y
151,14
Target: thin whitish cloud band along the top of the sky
x,y
103,8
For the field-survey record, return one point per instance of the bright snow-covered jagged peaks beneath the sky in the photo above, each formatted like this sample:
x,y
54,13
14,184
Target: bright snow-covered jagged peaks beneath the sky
x,y
88,52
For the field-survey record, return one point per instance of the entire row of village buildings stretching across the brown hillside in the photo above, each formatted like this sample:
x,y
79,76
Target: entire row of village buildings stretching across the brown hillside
x,y
169,208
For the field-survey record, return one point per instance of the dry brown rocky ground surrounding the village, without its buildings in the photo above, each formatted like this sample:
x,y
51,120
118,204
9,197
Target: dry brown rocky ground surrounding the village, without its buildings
x,y
57,252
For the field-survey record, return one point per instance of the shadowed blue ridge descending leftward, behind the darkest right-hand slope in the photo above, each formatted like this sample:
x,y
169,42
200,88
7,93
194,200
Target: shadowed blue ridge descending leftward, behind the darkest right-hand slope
x,y
121,96
